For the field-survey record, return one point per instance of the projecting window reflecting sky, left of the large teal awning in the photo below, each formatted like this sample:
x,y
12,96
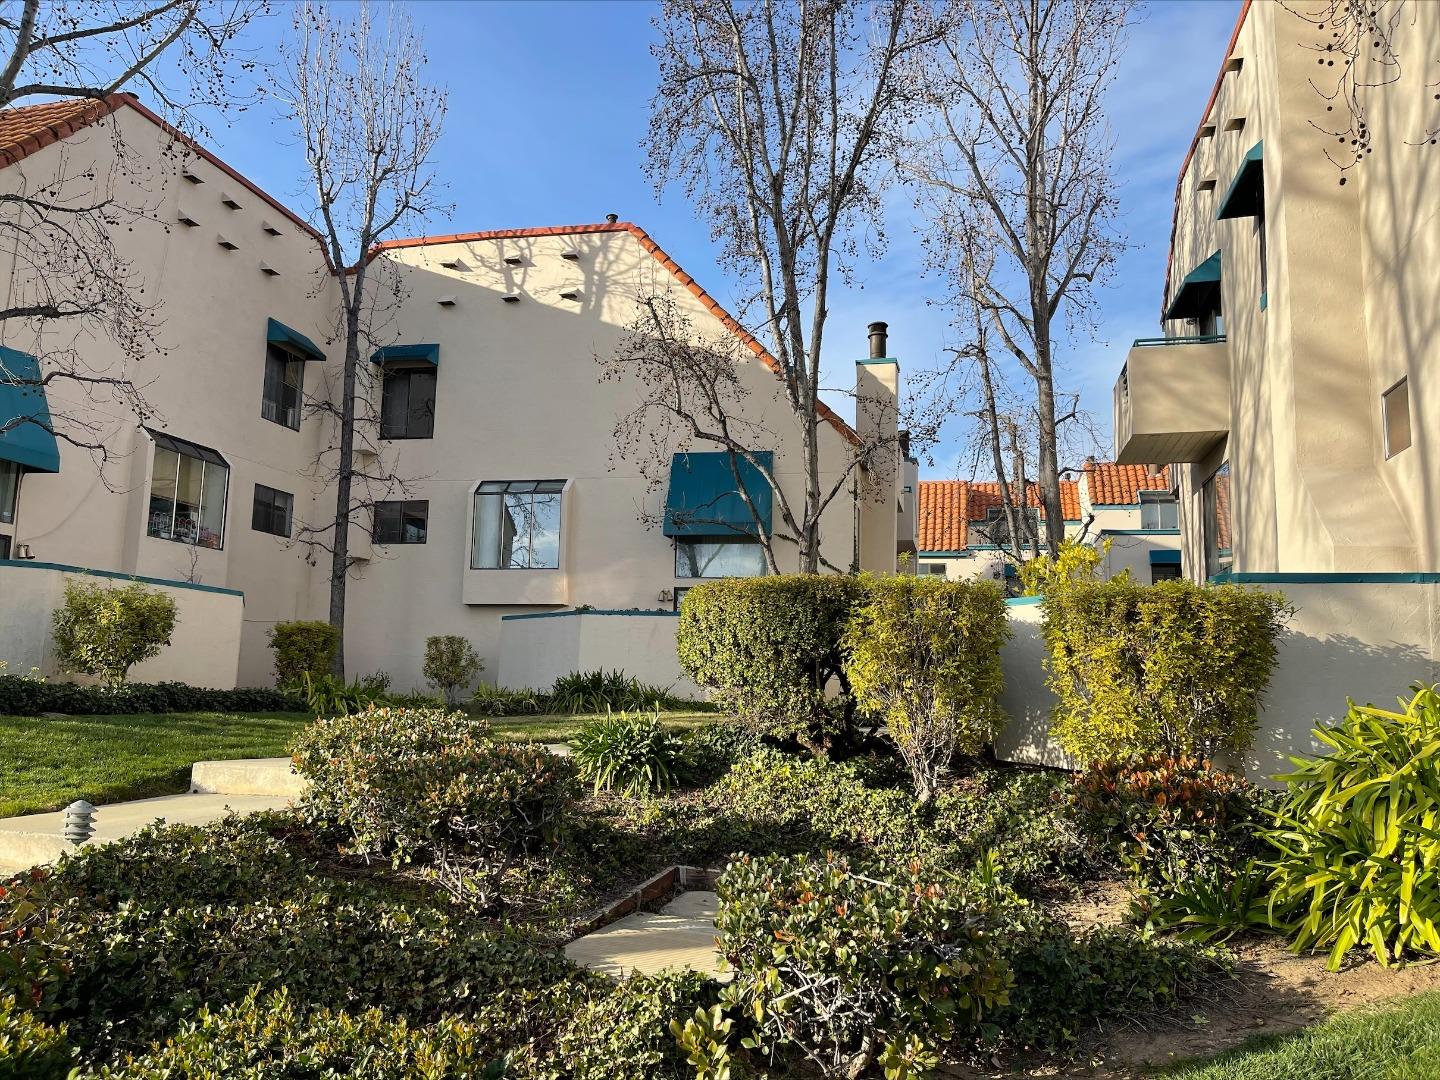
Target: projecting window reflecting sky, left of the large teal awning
x,y
518,525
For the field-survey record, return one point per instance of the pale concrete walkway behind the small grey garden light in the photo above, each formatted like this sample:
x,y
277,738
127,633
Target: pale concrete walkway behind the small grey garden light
x,y
35,839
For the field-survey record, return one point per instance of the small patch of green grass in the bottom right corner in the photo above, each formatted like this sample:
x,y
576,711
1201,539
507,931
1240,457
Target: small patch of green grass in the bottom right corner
x,y
1399,1042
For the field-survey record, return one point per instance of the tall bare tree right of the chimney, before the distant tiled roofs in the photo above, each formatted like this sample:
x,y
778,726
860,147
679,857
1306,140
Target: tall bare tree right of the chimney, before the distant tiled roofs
x,y
1014,142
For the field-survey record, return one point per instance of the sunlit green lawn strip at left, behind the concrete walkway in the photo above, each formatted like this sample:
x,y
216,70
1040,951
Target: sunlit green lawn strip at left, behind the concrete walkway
x,y
48,764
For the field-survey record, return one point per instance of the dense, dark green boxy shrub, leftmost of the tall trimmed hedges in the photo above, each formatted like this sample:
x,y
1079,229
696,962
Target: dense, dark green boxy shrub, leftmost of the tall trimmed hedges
x,y
771,650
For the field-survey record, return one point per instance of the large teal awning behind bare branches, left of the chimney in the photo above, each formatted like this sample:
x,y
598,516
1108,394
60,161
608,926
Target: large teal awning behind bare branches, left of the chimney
x,y
703,499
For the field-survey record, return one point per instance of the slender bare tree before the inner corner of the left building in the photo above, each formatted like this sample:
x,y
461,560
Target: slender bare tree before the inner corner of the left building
x,y
369,122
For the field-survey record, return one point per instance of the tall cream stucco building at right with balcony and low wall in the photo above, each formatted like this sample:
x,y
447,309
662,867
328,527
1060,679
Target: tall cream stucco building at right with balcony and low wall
x,y
1292,390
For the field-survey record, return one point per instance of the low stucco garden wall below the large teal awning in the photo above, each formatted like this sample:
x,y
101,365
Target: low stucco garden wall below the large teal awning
x,y
535,649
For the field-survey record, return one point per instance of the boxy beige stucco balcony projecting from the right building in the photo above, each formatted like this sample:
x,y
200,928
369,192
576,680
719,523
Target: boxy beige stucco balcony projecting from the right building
x,y
1173,400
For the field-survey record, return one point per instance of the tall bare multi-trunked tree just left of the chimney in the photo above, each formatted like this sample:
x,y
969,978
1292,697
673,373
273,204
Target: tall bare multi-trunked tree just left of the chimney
x,y
777,120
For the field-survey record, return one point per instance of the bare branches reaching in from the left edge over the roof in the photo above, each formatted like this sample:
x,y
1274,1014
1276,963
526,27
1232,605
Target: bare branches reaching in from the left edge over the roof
x,y
71,283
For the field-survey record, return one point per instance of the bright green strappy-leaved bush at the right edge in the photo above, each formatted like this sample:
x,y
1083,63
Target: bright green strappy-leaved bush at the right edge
x,y
1359,849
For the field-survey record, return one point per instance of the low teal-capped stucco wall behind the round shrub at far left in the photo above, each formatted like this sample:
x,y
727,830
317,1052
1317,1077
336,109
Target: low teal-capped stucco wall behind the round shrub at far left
x,y
205,650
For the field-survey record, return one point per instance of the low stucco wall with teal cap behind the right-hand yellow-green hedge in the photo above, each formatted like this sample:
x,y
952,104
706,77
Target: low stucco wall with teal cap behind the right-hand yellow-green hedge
x,y
1367,640
